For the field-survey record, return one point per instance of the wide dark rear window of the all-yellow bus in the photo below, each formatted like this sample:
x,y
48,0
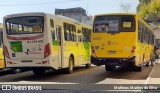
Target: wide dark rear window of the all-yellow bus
x,y
114,23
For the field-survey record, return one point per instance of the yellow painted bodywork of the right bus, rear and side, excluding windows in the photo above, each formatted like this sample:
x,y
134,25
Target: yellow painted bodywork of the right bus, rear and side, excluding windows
x,y
120,44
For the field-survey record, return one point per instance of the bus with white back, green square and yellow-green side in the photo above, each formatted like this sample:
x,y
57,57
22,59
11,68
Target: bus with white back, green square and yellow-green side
x,y
41,41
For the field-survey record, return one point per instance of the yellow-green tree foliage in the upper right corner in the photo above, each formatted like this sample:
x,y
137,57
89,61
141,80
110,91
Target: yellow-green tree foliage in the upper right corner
x,y
149,10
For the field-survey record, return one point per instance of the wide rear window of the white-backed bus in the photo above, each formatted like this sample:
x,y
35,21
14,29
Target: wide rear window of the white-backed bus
x,y
24,25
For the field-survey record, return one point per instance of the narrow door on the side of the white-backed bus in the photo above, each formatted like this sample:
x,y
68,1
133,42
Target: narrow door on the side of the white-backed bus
x,y
59,39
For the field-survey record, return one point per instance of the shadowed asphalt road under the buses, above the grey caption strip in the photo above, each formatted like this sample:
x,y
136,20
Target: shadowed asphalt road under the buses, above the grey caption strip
x,y
82,75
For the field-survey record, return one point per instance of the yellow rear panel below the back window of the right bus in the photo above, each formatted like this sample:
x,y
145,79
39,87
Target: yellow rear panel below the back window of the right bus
x,y
114,46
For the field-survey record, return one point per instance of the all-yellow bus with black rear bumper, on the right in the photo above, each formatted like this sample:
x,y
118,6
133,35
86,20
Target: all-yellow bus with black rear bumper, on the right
x,y
121,39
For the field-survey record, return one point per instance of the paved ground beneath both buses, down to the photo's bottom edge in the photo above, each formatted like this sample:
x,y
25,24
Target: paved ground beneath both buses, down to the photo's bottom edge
x,y
82,80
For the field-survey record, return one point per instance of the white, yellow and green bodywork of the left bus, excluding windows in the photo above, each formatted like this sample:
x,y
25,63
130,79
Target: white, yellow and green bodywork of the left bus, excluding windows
x,y
55,50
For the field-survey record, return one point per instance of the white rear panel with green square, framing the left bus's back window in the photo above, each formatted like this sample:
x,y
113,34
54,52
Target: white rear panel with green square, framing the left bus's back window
x,y
27,50
